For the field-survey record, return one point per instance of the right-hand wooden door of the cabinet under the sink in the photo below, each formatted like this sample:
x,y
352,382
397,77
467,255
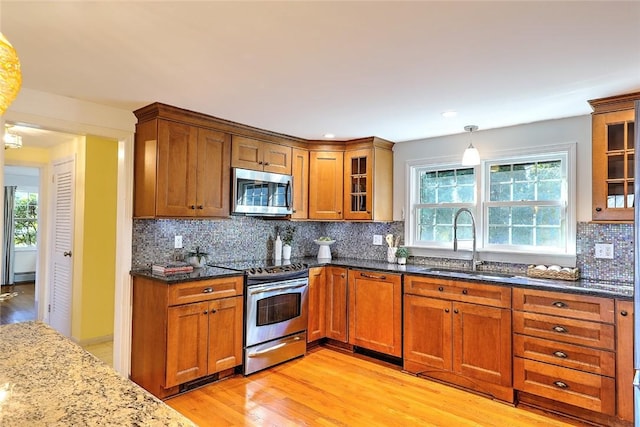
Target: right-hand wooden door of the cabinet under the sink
x,y
482,343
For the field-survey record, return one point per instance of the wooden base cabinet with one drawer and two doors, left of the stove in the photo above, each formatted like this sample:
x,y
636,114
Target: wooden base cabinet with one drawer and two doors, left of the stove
x,y
184,332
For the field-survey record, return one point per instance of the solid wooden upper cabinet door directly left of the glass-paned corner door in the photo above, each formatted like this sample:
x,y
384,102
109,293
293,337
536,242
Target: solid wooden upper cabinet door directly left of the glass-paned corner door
x,y
325,184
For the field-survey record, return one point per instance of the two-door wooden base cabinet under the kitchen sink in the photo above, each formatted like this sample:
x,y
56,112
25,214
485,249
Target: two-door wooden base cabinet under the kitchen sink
x,y
459,332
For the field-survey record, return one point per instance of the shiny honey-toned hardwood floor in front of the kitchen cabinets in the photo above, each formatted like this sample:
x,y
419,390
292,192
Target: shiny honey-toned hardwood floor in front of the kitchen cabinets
x,y
329,388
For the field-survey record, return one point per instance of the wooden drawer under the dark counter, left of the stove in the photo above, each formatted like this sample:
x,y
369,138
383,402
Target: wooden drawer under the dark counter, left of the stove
x,y
203,290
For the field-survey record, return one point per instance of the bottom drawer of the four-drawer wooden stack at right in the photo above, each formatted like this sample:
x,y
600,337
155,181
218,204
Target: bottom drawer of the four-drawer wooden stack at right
x,y
589,391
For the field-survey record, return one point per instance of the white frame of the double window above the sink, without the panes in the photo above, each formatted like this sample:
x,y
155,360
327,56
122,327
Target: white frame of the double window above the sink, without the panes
x,y
497,254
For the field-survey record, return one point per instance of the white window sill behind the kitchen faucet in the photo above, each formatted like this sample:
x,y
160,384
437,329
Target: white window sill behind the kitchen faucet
x,y
565,260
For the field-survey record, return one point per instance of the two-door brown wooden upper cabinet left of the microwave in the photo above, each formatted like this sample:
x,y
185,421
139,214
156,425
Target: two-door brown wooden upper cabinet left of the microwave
x,y
181,170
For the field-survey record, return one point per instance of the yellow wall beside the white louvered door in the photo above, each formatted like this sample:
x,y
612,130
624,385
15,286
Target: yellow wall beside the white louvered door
x,y
97,279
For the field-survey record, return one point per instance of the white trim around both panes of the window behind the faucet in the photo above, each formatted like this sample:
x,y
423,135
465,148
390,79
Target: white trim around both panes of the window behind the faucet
x,y
495,255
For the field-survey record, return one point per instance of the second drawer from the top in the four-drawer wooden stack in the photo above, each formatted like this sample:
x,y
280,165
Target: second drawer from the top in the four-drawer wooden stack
x,y
581,332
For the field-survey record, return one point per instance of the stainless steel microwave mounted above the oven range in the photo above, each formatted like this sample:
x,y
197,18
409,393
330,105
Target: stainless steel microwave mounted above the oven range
x,y
261,193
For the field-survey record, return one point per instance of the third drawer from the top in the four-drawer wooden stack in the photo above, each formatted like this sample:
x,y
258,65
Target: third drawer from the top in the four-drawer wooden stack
x,y
586,359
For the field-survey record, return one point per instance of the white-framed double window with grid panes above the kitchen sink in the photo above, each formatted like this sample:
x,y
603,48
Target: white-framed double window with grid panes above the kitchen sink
x,y
520,203
